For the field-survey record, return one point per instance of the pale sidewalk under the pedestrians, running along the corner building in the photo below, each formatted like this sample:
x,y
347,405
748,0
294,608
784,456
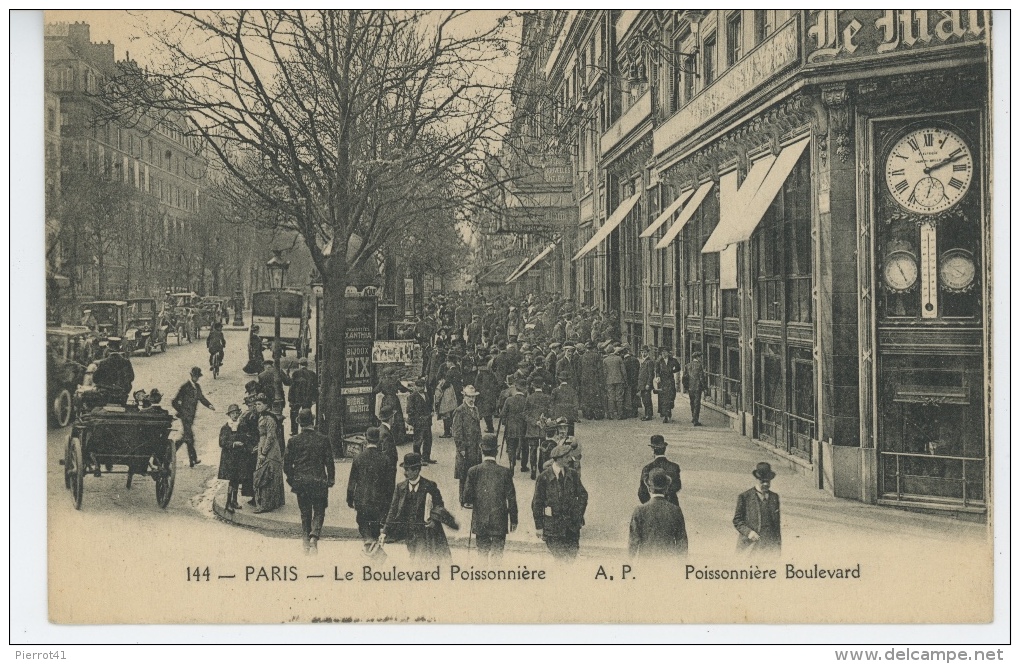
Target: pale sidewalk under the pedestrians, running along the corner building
x,y
717,465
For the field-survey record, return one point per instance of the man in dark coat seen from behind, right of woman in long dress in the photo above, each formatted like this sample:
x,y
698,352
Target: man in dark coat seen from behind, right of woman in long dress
x,y
310,470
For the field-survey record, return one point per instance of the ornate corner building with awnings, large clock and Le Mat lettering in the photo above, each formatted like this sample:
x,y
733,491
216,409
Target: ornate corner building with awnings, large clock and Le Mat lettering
x,y
803,197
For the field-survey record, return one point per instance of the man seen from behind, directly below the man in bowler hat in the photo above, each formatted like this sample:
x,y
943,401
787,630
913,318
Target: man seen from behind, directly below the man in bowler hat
x,y
657,528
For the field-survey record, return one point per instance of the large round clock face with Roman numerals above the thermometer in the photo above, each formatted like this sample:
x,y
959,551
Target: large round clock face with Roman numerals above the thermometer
x,y
930,170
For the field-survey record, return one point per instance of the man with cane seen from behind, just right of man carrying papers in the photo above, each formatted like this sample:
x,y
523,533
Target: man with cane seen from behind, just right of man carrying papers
x,y
491,494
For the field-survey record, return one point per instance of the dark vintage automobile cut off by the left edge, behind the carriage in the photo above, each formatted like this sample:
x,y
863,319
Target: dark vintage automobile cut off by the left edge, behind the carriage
x,y
70,349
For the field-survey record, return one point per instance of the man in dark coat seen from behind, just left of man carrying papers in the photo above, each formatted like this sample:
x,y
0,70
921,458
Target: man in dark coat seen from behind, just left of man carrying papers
x,y
371,488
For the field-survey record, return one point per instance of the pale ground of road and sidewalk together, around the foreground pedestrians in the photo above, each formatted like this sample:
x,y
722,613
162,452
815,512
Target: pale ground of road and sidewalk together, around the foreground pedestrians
x,y
716,464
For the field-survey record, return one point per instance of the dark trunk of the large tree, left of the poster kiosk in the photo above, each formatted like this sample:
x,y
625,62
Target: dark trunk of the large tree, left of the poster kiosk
x,y
334,350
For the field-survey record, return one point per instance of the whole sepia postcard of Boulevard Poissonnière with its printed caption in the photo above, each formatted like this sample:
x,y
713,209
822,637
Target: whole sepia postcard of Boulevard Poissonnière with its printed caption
x,y
537,317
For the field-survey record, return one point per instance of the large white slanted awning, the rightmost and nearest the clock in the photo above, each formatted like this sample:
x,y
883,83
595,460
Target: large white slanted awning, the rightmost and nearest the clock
x,y
742,217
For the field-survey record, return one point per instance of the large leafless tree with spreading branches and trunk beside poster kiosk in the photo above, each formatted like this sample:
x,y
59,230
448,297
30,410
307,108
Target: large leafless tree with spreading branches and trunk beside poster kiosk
x,y
354,128
